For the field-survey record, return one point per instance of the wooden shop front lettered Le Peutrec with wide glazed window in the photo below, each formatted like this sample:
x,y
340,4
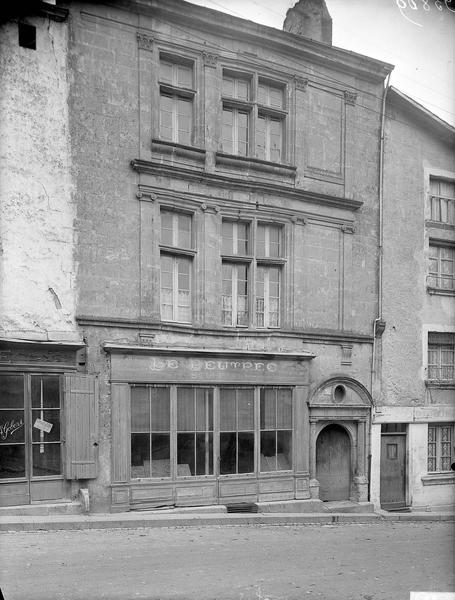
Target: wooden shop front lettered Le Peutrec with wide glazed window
x,y
196,427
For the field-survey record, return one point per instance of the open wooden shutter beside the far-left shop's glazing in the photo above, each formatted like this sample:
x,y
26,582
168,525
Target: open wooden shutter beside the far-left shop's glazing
x,y
81,426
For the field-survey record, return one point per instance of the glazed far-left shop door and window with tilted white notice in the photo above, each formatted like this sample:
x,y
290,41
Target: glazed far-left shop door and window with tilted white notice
x,y
30,440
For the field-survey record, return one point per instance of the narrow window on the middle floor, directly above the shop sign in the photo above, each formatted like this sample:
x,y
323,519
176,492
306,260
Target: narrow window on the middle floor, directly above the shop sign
x,y
176,263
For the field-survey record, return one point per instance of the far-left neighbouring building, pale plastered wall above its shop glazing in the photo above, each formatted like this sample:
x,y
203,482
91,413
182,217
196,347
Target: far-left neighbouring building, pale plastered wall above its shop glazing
x,y
39,337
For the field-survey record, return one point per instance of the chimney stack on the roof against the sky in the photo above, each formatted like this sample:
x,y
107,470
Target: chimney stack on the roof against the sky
x,y
311,19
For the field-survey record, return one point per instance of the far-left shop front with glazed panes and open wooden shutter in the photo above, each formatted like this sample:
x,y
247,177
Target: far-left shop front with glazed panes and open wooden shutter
x,y
48,422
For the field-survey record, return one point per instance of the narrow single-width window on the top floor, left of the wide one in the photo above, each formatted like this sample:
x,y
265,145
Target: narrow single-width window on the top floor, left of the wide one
x,y
176,100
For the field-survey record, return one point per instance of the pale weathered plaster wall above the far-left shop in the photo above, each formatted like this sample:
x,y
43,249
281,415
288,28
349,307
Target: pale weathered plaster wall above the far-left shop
x,y
36,206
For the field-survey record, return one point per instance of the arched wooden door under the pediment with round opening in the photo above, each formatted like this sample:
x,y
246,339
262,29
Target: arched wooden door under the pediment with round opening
x,y
333,463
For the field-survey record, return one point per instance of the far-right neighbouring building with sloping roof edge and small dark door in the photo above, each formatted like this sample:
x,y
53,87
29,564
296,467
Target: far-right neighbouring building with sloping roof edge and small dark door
x,y
413,428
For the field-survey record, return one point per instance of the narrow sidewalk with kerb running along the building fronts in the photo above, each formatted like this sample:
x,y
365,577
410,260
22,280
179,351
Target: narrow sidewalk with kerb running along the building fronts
x,y
197,518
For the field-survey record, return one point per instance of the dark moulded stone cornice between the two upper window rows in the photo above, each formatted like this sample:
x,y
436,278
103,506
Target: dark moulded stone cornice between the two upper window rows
x,y
157,168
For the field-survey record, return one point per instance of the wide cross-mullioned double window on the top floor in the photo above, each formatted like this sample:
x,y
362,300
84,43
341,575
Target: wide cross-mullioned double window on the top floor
x,y
254,117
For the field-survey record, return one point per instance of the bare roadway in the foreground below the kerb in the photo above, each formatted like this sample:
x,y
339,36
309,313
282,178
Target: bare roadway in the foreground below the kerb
x,y
377,561
